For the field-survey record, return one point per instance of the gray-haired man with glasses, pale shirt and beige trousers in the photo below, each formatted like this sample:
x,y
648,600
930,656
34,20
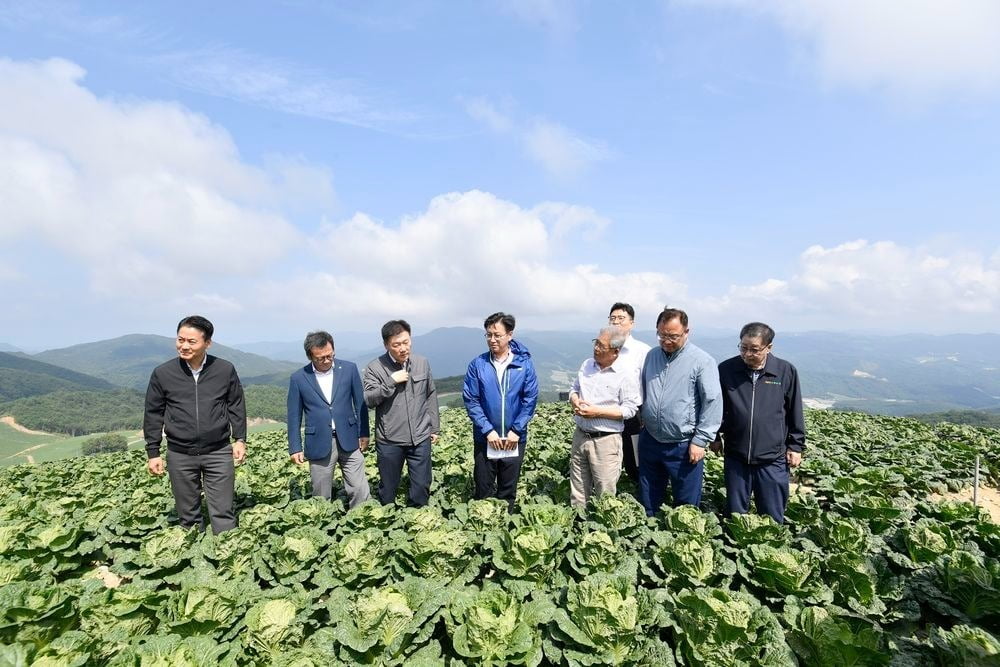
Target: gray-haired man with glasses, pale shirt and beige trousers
x,y
604,395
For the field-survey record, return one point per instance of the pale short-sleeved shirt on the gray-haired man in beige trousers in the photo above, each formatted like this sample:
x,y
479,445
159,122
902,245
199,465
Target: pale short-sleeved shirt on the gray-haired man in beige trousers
x,y
614,385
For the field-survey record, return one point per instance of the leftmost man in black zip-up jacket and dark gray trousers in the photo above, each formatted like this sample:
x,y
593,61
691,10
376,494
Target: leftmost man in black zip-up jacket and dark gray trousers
x,y
197,400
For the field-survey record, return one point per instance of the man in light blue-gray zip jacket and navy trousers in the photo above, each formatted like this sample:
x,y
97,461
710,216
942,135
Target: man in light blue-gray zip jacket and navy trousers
x,y
681,413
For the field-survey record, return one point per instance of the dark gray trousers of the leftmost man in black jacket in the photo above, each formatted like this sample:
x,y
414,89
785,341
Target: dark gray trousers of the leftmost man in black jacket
x,y
213,473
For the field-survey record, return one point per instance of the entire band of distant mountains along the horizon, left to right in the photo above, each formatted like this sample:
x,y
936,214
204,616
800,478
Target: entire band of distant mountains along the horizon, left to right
x,y
884,374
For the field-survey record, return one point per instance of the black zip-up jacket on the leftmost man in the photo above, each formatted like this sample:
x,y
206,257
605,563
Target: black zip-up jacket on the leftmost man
x,y
199,417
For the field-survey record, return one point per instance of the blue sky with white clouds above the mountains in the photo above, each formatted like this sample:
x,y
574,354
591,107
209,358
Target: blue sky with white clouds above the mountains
x,y
280,167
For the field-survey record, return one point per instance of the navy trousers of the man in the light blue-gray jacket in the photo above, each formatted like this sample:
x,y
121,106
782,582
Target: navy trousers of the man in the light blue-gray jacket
x,y
660,462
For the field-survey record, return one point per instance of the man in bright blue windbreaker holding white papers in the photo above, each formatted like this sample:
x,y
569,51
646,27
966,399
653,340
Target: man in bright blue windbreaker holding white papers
x,y
500,394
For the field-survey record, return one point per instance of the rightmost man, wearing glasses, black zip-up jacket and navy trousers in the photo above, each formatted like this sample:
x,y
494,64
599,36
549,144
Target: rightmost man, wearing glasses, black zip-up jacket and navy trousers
x,y
763,428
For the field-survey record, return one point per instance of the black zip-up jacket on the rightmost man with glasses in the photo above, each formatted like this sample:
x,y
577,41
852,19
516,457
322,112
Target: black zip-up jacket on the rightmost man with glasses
x,y
761,421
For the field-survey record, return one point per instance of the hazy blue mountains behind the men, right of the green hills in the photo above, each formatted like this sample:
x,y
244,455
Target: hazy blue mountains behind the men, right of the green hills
x,y
885,374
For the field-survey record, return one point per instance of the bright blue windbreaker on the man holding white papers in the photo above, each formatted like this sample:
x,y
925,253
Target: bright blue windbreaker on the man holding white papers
x,y
501,406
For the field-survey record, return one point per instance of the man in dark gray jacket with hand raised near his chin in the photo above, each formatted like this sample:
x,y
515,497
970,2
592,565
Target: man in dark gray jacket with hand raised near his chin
x,y
400,387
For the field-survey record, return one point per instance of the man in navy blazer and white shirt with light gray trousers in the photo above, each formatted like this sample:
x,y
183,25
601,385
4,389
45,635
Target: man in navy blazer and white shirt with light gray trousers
x,y
329,393
